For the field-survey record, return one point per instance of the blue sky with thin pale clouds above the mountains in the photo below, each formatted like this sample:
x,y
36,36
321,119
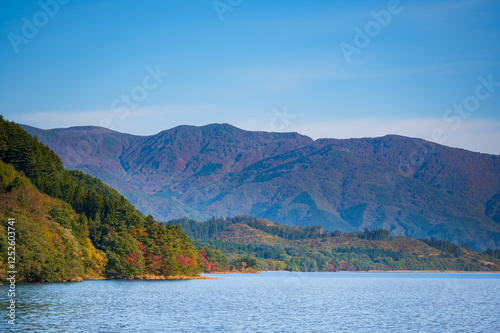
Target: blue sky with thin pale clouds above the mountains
x,y
339,69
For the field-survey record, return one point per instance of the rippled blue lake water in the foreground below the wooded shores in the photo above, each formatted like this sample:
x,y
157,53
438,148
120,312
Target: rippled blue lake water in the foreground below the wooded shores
x,y
266,302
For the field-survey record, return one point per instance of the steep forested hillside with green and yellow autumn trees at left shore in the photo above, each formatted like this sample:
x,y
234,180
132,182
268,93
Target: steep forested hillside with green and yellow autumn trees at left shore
x,y
70,225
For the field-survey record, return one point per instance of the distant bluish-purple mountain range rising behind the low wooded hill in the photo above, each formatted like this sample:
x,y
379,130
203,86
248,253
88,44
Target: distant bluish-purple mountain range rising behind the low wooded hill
x,y
409,186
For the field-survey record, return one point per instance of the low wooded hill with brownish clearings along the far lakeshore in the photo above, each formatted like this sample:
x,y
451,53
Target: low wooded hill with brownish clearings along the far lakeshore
x,y
277,246
